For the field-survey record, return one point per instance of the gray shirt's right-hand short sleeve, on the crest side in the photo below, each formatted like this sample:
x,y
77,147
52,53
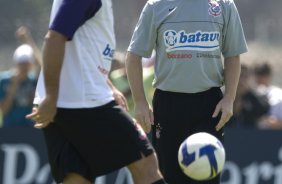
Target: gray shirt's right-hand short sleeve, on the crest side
x,y
234,42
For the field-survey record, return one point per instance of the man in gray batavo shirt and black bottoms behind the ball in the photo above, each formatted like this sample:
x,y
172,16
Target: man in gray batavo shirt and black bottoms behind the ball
x,y
190,38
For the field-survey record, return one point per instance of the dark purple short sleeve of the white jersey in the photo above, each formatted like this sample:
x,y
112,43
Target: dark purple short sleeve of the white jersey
x,y
71,14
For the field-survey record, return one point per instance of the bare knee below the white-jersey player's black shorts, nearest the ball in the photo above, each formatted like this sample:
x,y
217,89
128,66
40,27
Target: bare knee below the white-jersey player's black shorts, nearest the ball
x,y
146,170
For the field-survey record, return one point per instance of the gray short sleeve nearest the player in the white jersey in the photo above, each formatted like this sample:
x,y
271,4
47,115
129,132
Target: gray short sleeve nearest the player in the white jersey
x,y
144,36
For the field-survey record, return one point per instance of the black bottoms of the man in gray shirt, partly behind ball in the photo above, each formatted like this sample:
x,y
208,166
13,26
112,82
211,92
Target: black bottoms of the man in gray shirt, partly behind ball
x,y
176,116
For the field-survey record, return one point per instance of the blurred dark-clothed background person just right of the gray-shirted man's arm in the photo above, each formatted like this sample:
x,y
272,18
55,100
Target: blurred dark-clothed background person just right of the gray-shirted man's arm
x,y
249,105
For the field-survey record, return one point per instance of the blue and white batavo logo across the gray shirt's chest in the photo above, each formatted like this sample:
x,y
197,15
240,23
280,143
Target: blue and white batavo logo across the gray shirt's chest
x,y
199,40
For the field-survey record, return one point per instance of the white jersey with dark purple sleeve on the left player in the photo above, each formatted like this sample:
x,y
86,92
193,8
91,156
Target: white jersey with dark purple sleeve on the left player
x,y
88,55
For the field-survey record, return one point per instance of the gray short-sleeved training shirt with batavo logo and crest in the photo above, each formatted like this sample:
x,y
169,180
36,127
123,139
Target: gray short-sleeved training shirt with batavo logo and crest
x,y
189,36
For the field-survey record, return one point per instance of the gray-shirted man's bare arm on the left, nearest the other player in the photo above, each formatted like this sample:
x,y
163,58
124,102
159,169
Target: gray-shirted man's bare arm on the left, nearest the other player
x,y
143,112
